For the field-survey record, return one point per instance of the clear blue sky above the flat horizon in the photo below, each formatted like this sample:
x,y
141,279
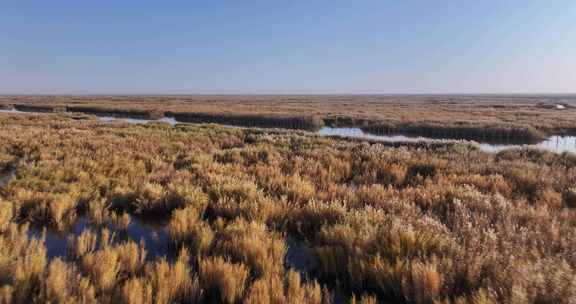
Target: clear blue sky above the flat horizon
x,y
259,47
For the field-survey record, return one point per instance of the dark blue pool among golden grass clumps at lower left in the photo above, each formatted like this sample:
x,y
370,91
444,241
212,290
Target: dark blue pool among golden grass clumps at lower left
x,y
154,235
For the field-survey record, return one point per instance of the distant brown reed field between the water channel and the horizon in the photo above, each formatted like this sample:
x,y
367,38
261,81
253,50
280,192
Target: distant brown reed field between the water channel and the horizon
x,y
496,118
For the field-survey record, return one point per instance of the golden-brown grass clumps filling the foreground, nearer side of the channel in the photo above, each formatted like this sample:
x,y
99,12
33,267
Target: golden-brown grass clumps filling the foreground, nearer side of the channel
x,y
396,224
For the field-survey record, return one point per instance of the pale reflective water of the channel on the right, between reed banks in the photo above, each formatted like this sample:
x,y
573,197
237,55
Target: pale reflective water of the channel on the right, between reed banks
x,y
557,144
